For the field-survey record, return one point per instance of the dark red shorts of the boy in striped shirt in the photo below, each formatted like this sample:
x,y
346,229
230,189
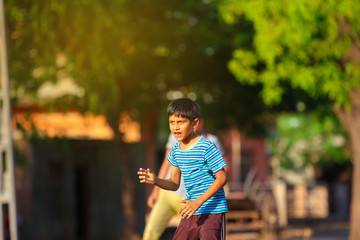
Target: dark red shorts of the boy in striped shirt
x,y
204,226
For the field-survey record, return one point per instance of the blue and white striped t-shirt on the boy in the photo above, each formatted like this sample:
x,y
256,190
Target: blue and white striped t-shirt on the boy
x,y
198,166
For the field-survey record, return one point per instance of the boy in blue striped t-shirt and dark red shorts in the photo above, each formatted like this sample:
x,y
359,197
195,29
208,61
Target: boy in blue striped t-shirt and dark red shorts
x,y
202,167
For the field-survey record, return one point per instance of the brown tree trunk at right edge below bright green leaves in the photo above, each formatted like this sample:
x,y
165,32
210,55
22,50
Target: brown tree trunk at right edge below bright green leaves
x,y
351,121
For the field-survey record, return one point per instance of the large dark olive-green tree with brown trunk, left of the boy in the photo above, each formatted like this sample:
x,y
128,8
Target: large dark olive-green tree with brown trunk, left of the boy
x,y
127,55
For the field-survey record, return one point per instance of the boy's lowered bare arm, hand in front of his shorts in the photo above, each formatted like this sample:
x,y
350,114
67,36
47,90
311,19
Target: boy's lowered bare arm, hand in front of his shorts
x,y
191,206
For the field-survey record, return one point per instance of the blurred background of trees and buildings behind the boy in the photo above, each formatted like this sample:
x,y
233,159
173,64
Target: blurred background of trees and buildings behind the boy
x,y
89,83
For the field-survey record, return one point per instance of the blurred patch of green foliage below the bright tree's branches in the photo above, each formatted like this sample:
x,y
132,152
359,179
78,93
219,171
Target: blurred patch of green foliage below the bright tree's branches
x,y
303,141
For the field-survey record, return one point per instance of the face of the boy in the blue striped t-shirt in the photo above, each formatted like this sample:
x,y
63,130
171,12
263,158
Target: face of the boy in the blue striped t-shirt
x,y
181,127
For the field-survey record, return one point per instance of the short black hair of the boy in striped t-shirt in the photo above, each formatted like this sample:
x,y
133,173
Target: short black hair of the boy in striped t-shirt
x,y
184,107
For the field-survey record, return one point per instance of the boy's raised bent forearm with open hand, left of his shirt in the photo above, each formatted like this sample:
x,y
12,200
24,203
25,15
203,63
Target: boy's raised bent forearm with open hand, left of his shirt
x,y
148,176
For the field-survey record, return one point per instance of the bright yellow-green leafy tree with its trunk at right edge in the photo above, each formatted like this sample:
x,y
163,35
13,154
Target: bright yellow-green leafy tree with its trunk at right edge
x,y
311,45
